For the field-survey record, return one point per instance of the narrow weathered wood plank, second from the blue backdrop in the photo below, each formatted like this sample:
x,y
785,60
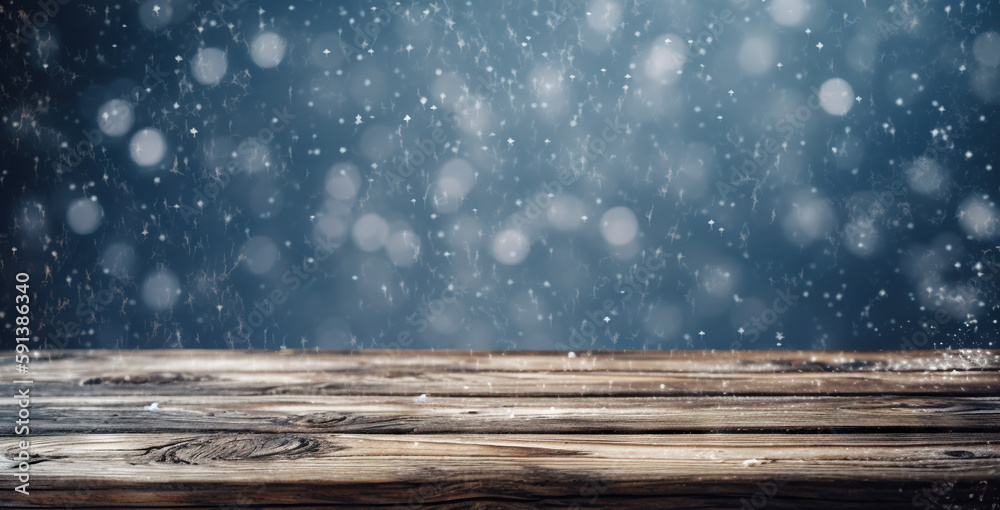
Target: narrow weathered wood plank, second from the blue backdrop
x,y
538,384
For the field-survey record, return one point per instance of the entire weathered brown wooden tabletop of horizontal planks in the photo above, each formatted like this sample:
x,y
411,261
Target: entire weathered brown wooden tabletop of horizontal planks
x,y
513,430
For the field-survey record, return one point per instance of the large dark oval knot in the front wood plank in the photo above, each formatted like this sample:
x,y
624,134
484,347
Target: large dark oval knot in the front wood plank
x,y
234,448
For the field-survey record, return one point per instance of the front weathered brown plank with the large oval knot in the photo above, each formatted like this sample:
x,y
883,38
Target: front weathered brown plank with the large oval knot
x,y
323,468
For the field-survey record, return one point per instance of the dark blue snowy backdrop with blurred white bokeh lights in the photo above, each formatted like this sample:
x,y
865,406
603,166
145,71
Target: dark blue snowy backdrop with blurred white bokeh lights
x,y
523,175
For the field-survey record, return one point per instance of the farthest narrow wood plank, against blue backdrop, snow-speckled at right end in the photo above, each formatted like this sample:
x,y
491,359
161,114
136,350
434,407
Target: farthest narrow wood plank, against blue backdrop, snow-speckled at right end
x,y
80,364
